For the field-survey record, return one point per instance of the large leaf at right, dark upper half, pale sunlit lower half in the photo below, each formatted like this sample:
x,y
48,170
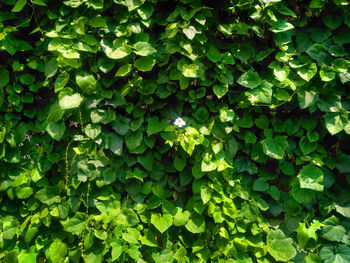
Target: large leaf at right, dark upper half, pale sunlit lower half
x,y
311,177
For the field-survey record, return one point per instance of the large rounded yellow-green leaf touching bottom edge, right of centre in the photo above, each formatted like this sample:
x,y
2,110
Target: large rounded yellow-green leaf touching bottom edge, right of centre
x,y
279,246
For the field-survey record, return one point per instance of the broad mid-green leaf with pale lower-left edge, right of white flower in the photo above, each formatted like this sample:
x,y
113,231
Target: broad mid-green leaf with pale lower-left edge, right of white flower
x,y
275,147
